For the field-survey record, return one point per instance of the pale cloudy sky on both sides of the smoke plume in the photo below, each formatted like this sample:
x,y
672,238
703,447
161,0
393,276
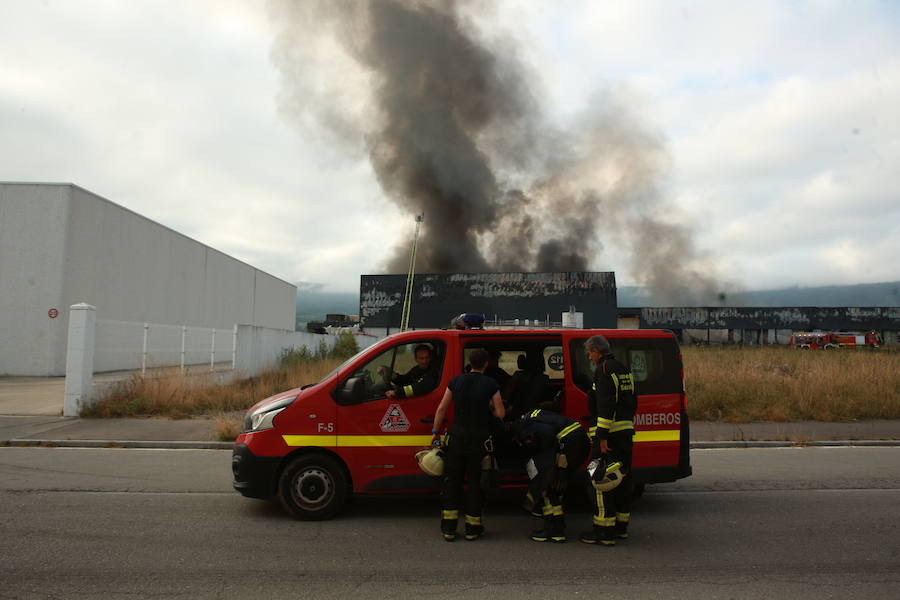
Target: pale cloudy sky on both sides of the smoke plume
x,y
780,123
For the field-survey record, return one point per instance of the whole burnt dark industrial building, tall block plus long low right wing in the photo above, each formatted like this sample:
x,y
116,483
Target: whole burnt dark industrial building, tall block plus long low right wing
x,y
540,299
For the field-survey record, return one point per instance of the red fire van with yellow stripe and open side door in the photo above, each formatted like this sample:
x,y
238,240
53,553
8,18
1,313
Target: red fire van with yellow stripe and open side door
x,y
314,446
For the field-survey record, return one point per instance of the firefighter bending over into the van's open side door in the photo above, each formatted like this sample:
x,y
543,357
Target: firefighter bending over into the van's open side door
x,y
560,447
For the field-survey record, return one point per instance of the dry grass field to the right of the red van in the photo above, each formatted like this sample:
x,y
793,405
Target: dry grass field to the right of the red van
x,y
737,385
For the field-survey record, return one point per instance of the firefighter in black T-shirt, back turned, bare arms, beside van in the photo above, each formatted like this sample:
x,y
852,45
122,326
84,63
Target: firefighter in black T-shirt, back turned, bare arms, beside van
x,y
476,403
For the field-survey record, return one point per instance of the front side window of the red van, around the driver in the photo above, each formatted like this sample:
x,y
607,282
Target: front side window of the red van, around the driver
x,y
371,380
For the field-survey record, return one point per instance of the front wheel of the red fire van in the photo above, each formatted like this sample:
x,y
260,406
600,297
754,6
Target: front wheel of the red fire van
x,y
313,487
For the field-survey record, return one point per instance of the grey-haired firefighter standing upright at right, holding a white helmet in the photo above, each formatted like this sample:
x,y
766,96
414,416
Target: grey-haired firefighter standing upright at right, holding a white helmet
x,y
612,403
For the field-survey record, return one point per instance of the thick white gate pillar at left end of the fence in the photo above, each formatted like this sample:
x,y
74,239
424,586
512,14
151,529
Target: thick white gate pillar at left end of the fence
x,y
79,358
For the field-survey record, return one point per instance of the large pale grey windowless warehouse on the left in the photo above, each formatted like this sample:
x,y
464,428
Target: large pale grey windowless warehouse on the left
x,y
61,245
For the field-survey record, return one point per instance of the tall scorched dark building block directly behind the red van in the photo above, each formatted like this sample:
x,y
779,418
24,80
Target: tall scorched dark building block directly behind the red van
x,y
436,299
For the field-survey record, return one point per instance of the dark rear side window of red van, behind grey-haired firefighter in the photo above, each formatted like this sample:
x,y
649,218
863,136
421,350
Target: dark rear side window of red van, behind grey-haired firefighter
x,y
652,361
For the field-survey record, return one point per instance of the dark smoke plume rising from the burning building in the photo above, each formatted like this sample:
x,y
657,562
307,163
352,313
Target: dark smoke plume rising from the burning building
x,y
451,123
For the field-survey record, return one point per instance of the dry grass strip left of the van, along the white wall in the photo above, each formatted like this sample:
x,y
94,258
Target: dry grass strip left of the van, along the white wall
x,y
180,397
